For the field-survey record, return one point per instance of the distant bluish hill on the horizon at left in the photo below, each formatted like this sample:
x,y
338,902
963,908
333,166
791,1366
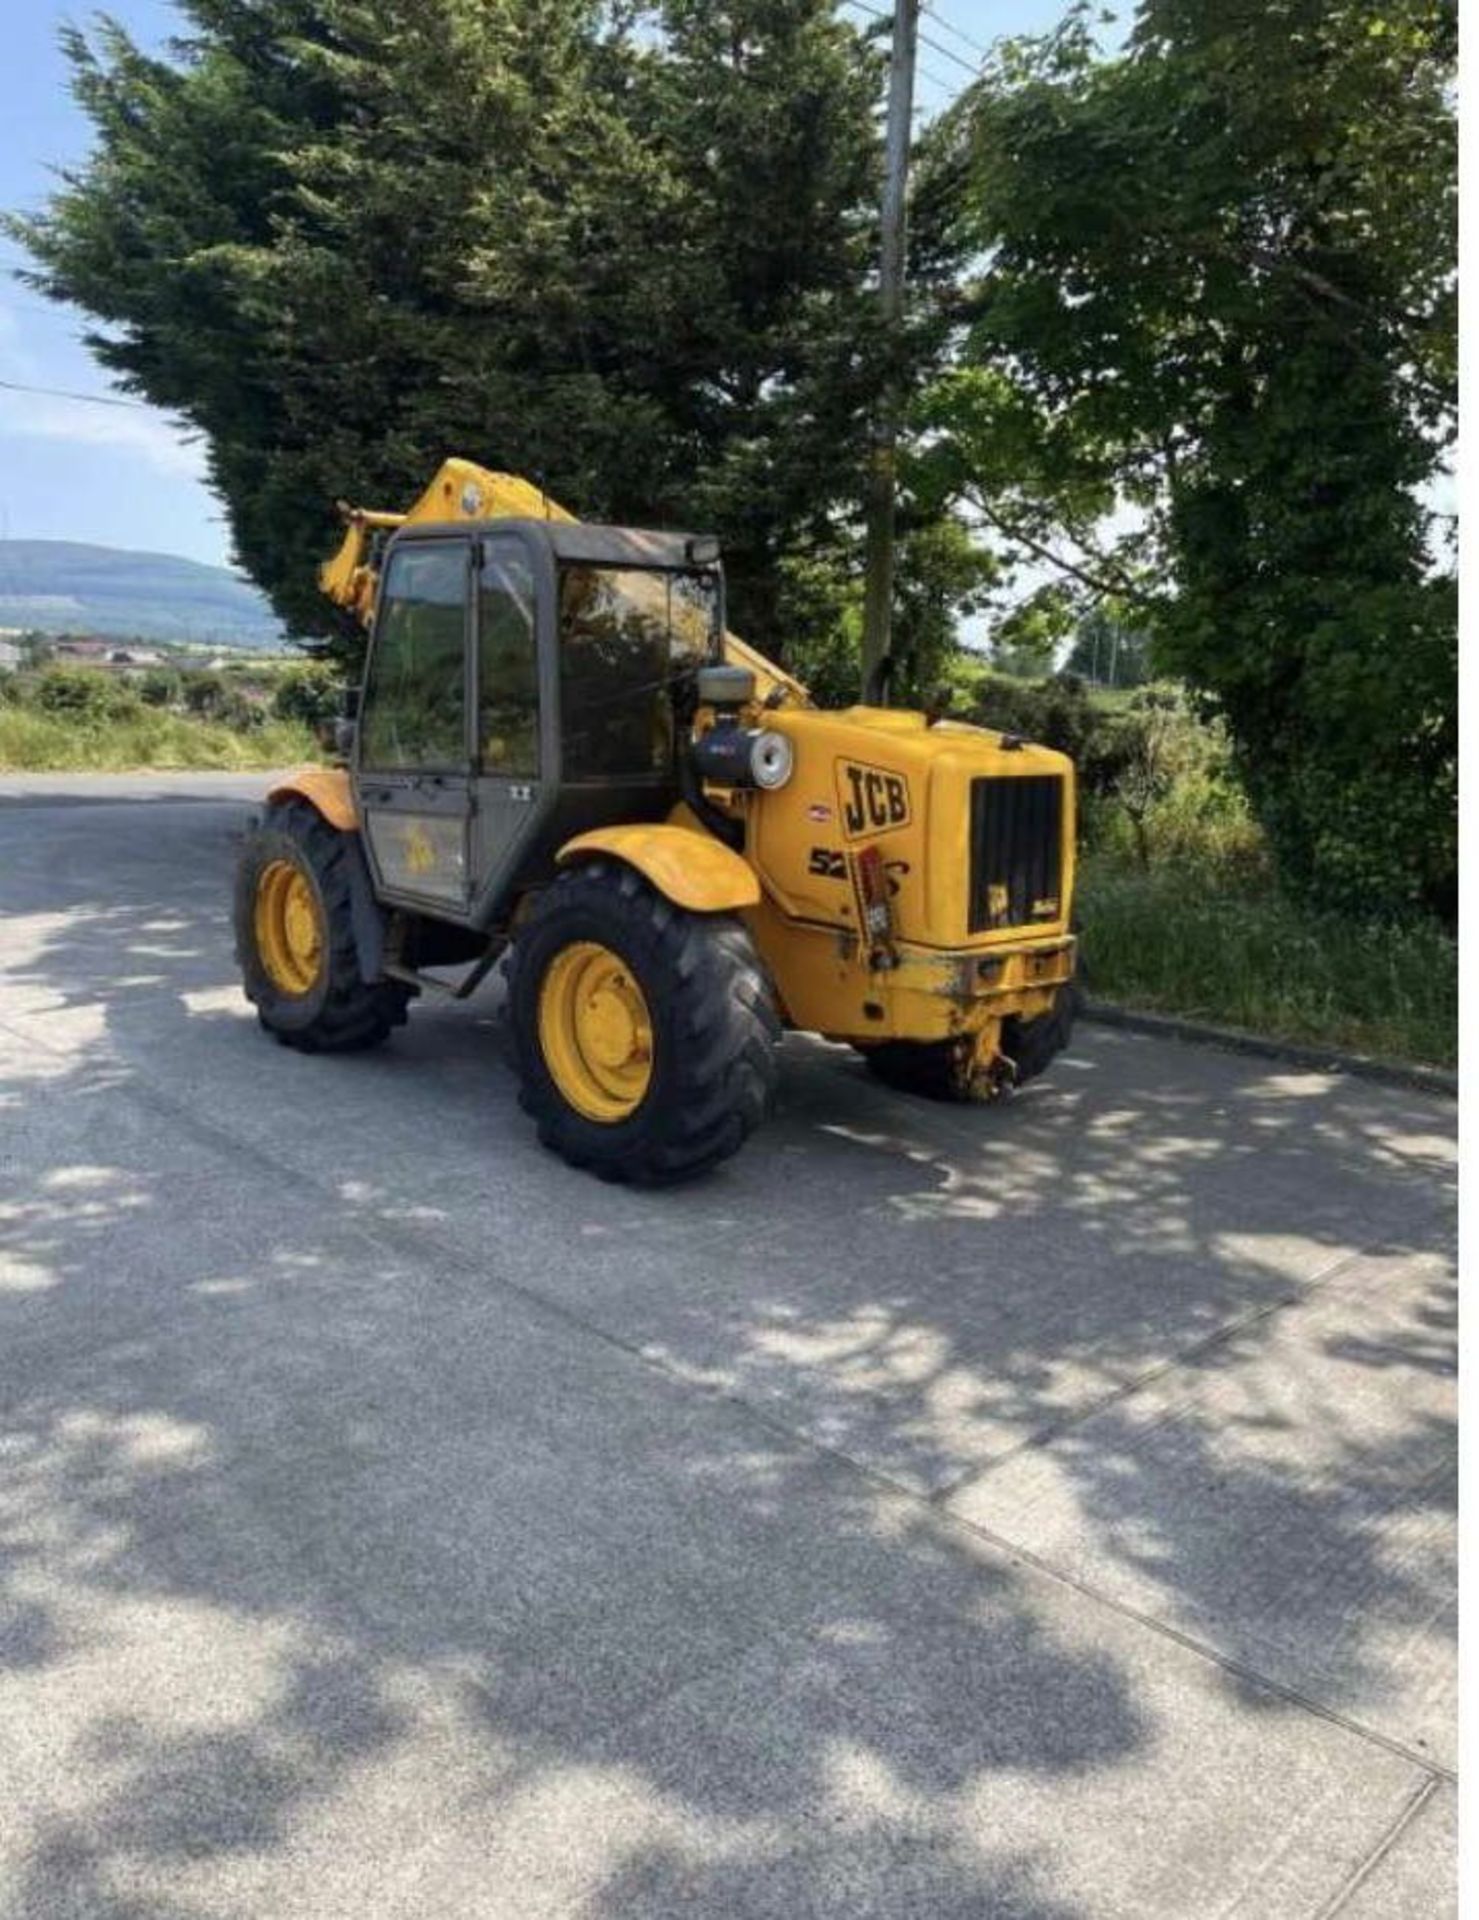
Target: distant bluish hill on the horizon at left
x,y
62,587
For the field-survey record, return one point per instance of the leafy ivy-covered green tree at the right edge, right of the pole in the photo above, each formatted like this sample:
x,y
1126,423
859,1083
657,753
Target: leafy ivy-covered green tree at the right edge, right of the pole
x,y
1215,350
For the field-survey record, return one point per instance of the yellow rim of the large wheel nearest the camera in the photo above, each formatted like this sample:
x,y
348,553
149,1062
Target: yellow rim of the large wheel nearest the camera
x,y
596,1034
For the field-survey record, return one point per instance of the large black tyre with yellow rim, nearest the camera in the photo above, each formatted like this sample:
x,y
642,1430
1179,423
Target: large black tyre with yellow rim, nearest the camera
x,y
644,1036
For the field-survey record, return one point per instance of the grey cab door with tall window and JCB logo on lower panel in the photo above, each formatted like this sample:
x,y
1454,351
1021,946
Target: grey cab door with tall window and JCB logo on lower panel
x,y
414,754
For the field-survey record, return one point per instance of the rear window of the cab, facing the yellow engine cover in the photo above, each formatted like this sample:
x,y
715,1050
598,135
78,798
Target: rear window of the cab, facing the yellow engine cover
x,y
627,636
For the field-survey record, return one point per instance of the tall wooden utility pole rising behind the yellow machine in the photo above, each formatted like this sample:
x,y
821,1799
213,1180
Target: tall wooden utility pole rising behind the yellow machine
x,y
879,554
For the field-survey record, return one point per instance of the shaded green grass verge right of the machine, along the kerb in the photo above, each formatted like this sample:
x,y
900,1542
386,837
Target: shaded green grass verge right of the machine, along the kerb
x,y
1176,942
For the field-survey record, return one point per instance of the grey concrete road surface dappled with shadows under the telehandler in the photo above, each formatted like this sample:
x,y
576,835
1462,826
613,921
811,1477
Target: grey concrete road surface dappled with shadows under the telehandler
x,y
1032,1512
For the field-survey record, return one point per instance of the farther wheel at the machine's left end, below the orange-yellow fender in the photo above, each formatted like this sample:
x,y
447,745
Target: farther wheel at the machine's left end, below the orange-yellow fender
x,y
295,938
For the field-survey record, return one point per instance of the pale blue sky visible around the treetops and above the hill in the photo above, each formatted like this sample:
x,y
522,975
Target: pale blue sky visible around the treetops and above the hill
x,y
126,477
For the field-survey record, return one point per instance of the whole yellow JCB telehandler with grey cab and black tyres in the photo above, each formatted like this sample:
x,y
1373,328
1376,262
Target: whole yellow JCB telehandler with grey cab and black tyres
x,y
564,757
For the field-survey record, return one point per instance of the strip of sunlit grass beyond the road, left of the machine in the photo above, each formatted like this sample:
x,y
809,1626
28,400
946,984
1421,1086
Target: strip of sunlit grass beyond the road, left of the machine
x,y
39,742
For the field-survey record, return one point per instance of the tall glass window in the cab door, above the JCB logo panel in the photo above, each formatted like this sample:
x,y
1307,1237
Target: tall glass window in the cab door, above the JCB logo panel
x,y
416,698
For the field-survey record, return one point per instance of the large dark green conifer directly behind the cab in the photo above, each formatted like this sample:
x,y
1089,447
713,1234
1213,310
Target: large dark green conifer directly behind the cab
x,y
625,251
